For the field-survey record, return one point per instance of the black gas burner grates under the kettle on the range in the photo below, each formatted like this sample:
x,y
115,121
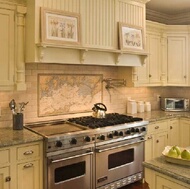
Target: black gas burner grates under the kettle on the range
x,y
110,120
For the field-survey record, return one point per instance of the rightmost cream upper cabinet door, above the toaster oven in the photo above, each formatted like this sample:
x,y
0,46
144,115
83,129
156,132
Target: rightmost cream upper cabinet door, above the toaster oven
x,y
178,60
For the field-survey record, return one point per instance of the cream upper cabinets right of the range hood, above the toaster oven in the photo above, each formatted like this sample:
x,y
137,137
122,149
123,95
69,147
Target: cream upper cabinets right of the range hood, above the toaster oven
x,y
168,58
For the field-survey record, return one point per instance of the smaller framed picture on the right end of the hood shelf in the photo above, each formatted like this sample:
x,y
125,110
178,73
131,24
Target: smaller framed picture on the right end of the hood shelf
x,y
130,38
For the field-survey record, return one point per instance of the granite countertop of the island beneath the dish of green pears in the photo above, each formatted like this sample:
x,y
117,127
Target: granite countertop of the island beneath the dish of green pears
x,y
179,172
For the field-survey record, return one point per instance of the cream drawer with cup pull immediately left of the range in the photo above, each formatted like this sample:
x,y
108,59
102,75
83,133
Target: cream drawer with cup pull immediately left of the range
x,y
25,152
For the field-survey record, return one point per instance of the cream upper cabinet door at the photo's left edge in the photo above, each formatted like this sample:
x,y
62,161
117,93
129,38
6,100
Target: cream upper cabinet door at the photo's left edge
x,y
7,49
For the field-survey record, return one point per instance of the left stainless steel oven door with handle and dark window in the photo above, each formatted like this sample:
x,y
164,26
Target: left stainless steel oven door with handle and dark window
x,y
73,170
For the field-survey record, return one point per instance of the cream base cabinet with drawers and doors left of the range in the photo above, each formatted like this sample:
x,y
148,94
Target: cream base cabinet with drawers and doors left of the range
x,y
22,167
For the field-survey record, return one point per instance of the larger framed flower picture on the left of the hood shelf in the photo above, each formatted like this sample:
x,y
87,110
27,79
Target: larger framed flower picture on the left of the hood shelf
x,y
60,27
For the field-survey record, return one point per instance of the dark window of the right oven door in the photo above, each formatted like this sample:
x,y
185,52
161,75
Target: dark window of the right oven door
x,y
120,158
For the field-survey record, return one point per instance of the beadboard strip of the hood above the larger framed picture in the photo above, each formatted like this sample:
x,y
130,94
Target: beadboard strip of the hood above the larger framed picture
x,y
65,5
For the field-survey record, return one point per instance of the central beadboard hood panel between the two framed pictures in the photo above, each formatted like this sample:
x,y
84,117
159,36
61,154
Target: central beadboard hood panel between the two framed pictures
x,y
98,20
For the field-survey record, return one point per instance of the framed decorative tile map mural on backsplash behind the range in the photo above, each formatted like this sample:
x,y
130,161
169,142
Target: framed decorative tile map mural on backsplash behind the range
x,y
68,93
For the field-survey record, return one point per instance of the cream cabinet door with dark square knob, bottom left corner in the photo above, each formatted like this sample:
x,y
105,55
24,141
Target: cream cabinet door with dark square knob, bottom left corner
x,y
5,178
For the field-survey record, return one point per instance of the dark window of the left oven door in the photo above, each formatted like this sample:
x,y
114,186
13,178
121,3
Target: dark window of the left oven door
x,y
70,171
